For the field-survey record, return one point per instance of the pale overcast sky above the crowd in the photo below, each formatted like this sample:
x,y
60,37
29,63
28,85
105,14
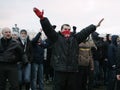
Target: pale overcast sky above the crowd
x,y
80,13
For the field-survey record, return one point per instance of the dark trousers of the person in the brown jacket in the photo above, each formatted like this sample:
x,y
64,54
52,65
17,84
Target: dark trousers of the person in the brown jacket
x,y
84,78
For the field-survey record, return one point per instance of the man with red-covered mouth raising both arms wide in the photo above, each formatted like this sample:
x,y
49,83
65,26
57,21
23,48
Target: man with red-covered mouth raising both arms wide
x,y
64,59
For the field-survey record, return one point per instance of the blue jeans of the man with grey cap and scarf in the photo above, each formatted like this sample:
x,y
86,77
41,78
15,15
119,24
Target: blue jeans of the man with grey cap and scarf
x,y
24,73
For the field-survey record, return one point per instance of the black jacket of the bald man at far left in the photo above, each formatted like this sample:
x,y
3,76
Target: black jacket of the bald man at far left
x,y
11,51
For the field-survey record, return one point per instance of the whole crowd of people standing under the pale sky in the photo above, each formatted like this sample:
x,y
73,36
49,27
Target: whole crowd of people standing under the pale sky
x,y
75,60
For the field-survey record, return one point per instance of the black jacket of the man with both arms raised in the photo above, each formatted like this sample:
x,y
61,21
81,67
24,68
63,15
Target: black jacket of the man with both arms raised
x,y
65,52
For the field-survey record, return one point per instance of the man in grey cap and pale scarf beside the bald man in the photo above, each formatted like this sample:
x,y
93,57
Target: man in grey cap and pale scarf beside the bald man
x,y
24,72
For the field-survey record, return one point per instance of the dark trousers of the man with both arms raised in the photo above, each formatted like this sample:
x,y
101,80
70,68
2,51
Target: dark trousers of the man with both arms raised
x,y
64,80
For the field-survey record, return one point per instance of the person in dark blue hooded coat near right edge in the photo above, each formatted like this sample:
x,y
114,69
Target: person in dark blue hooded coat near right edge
x,y
112,57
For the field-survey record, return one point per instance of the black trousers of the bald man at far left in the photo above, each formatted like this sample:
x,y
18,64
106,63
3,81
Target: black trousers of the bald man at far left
x,y
10,72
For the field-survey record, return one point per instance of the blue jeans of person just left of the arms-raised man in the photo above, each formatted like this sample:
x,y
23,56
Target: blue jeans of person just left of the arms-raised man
x,y
37,76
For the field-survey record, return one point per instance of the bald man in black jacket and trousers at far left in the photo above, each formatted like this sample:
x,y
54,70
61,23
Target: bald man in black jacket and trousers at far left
x,y
10,54
